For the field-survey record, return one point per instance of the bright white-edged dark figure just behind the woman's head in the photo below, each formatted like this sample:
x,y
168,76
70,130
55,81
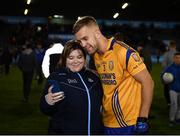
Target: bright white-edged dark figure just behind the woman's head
x,y
51,58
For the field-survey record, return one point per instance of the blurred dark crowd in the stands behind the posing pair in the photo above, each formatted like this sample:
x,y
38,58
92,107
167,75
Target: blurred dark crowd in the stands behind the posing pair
x,y
151,40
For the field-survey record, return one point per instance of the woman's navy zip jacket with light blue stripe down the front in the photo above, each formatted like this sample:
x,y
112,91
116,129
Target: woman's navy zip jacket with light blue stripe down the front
x,y
80,111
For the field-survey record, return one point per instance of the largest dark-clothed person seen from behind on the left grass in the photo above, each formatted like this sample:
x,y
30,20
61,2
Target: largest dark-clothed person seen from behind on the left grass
x,y
27,64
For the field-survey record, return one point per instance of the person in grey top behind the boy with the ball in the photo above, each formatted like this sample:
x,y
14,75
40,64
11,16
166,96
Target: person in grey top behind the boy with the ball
x,y
167,61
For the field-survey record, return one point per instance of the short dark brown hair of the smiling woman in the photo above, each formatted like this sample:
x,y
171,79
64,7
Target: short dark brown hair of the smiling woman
x,y
68,48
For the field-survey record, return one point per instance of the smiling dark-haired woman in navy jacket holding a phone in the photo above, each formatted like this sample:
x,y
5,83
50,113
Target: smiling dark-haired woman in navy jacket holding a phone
x,y
74,100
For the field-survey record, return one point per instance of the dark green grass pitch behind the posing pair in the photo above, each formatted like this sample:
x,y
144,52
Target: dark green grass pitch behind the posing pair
x,y
17,117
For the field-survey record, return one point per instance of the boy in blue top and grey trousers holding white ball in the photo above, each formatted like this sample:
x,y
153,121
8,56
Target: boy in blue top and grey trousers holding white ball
x,y
174,89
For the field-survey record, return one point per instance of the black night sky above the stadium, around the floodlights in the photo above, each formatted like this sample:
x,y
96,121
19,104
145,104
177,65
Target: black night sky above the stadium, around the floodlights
x,y
158,10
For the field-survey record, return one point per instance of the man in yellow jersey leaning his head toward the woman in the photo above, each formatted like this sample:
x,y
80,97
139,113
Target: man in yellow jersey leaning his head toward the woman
x,y
127,85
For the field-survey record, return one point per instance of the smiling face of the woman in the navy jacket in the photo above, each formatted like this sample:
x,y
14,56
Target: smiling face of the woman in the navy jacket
x,y
75,61
